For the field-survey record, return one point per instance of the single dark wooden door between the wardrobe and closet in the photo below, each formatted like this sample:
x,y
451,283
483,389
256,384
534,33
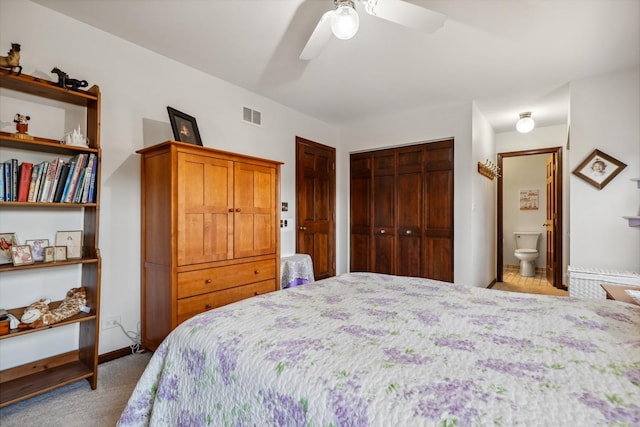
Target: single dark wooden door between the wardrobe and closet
x,y
315,205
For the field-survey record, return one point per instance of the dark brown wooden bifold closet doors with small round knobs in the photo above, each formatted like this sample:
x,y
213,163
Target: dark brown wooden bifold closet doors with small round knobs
x,y
402,211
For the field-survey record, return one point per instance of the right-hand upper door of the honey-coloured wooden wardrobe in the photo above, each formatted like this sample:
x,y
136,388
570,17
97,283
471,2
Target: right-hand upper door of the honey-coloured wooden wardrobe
x,y
254,210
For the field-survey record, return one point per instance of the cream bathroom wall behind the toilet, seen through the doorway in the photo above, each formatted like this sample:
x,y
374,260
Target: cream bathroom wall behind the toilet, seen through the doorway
x,y
524,173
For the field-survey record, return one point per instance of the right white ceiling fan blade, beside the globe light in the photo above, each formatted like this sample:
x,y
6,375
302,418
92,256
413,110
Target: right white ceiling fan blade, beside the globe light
x,y
406,14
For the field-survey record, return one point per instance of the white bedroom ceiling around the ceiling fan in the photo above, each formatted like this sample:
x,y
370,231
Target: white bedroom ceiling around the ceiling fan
x,y
508,56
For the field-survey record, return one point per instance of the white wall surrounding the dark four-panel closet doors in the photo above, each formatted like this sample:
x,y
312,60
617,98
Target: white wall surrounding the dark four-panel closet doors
x,y
416,126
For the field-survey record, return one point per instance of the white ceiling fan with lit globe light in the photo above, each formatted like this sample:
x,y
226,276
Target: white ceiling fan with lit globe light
x,y
343,21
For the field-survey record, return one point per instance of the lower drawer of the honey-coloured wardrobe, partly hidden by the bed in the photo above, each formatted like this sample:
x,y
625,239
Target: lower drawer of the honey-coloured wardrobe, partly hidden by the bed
x,y
189,307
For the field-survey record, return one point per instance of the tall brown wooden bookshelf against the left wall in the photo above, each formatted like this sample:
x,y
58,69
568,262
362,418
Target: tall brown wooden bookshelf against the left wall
x,y
36,377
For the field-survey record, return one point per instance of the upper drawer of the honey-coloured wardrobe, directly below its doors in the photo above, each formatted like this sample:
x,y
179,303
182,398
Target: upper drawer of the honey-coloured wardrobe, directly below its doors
x,y
198,282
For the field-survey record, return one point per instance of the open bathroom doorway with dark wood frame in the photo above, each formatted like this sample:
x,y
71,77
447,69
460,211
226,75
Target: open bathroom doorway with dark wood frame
x,y
536,206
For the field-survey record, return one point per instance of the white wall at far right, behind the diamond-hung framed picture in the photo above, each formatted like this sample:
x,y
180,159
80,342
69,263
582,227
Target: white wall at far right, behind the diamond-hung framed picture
x,y
604,116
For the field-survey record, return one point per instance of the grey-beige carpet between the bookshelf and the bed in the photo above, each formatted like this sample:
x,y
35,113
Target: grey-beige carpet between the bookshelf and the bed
x,y
76,404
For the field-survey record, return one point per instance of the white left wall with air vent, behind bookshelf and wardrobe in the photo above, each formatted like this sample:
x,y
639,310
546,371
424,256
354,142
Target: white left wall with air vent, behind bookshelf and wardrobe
x,y
136,85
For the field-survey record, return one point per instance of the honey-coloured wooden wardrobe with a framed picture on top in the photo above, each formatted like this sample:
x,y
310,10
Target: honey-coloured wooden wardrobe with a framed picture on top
x,y
210,232
